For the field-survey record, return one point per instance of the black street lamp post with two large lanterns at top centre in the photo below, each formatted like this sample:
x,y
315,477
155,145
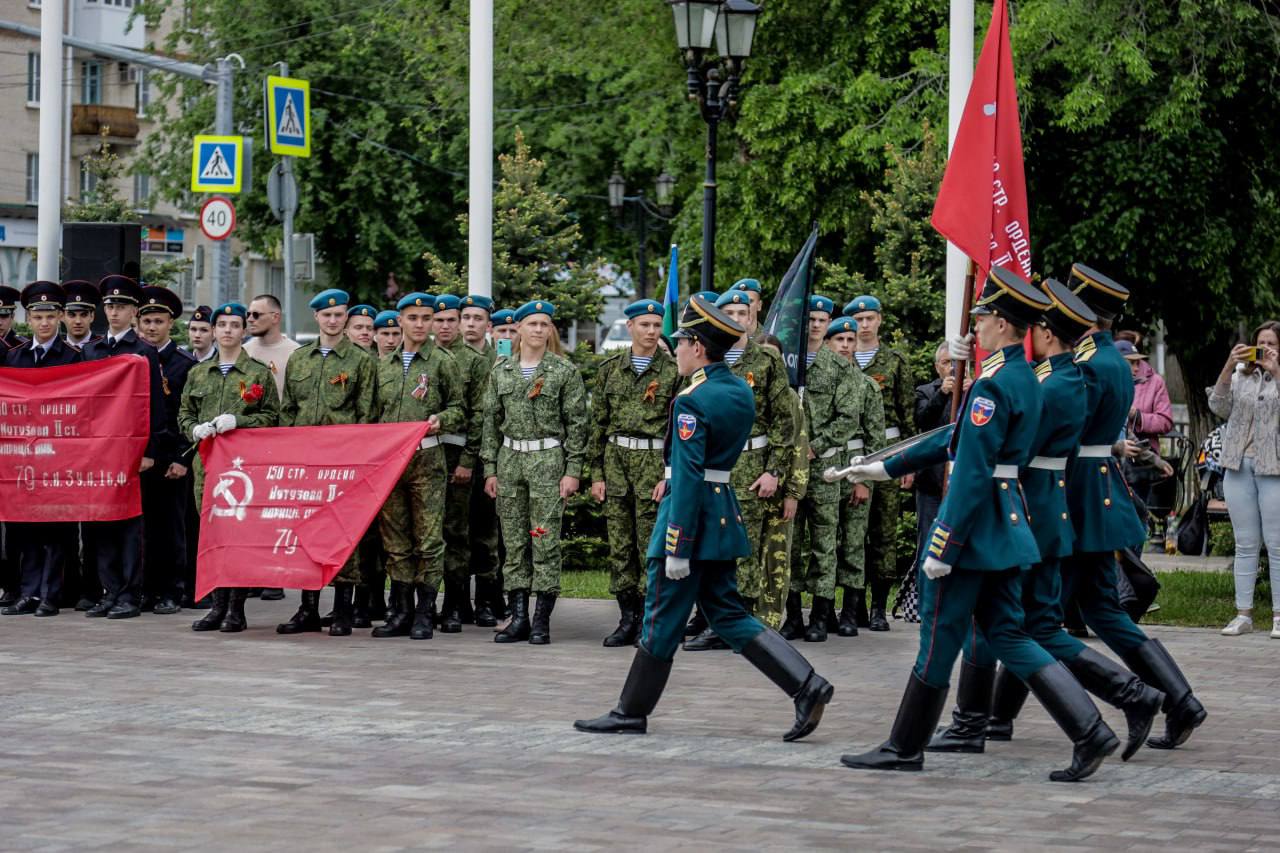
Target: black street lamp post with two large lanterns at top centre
x,y
714,83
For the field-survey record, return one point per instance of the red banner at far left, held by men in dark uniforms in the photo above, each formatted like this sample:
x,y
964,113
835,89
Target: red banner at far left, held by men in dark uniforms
x,y
72,439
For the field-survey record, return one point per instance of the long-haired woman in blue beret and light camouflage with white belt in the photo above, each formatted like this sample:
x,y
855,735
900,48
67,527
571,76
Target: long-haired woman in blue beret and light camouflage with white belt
x,y
533,450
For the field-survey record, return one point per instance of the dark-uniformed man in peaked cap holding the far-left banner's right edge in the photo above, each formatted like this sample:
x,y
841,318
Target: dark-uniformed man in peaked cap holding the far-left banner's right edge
x,y
118,545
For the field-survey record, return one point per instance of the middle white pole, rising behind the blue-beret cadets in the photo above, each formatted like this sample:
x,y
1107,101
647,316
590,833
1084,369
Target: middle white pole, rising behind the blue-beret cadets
x,y
481,174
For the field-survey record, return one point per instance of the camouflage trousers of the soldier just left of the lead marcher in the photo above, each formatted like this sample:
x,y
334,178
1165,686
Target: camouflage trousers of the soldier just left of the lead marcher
x,y
630,514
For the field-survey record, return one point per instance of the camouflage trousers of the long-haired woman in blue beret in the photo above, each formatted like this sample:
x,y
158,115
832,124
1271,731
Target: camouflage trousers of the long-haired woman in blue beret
x,y
531,512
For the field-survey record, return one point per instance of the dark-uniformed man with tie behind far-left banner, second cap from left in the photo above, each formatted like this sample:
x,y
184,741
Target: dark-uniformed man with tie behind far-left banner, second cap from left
x,y
42,546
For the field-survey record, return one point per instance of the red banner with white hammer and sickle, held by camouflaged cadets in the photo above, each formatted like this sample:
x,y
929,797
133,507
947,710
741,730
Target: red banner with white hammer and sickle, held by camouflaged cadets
x,y
286,508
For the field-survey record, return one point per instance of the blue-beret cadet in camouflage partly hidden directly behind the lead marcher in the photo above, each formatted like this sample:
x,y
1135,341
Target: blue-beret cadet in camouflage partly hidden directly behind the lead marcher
x,y
767,455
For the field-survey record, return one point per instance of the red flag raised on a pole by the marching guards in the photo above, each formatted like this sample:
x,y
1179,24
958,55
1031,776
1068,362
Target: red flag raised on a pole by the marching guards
x,y
982,204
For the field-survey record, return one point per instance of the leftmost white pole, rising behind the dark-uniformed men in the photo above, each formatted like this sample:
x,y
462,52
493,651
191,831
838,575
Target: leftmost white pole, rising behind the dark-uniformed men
x,y
49,223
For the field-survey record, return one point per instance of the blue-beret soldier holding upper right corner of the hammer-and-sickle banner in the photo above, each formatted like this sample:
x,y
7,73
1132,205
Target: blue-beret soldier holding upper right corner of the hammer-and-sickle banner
x,y
418,382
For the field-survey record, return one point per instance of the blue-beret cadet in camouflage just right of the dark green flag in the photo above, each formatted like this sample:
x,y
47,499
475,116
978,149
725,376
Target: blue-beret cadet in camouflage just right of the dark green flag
x,y
831,393
